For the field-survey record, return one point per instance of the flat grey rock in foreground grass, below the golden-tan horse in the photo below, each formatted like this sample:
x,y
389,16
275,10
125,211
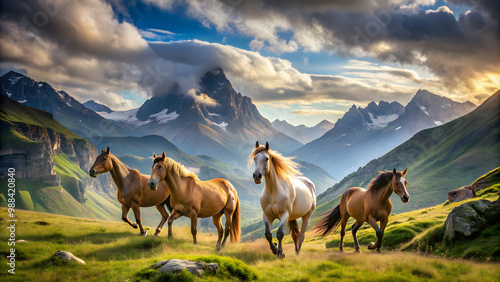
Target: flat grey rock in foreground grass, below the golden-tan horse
x,y
177,265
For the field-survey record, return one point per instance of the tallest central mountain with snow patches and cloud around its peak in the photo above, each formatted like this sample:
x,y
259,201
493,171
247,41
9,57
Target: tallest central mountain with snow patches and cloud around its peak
x,y
215,121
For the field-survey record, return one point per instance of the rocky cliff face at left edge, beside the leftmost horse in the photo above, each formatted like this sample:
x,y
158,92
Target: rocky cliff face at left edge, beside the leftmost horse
x,y
34,161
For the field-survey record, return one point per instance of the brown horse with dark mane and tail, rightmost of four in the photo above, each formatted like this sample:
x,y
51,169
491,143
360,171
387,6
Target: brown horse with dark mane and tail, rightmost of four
x,y
370,205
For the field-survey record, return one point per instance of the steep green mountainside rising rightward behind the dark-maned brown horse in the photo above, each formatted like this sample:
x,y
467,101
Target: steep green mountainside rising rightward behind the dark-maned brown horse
x,y
438,159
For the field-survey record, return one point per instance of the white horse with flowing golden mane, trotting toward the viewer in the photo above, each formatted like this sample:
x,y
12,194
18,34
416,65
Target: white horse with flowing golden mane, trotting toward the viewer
x,y
286,196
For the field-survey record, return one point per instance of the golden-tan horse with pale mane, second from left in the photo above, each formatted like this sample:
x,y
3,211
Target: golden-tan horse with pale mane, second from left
x,y
193,198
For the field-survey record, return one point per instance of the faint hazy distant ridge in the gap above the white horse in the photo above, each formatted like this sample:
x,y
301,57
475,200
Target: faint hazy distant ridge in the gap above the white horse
x,y
301,132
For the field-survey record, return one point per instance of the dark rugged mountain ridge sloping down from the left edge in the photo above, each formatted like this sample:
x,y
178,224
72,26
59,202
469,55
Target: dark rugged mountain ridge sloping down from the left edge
x,y
67,110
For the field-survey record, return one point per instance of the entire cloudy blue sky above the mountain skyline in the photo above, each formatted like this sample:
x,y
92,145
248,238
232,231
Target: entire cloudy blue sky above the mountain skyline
x,y
299,61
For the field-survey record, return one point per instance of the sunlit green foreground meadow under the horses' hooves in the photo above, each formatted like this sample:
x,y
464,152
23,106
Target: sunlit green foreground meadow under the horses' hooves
x,y
113,251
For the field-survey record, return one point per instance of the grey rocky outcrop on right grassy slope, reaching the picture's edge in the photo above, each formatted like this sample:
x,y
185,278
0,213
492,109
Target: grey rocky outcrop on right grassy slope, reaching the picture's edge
x,y
468,219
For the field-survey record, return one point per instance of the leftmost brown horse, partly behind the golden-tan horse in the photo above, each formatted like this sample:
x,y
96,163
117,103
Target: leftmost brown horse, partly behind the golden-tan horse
x,y
133,191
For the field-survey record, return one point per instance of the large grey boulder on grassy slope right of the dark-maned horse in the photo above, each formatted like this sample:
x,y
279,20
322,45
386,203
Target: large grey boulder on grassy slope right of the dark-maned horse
x,y
466,219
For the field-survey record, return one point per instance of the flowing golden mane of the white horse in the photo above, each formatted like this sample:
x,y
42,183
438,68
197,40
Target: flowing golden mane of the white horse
x,y
285,166
